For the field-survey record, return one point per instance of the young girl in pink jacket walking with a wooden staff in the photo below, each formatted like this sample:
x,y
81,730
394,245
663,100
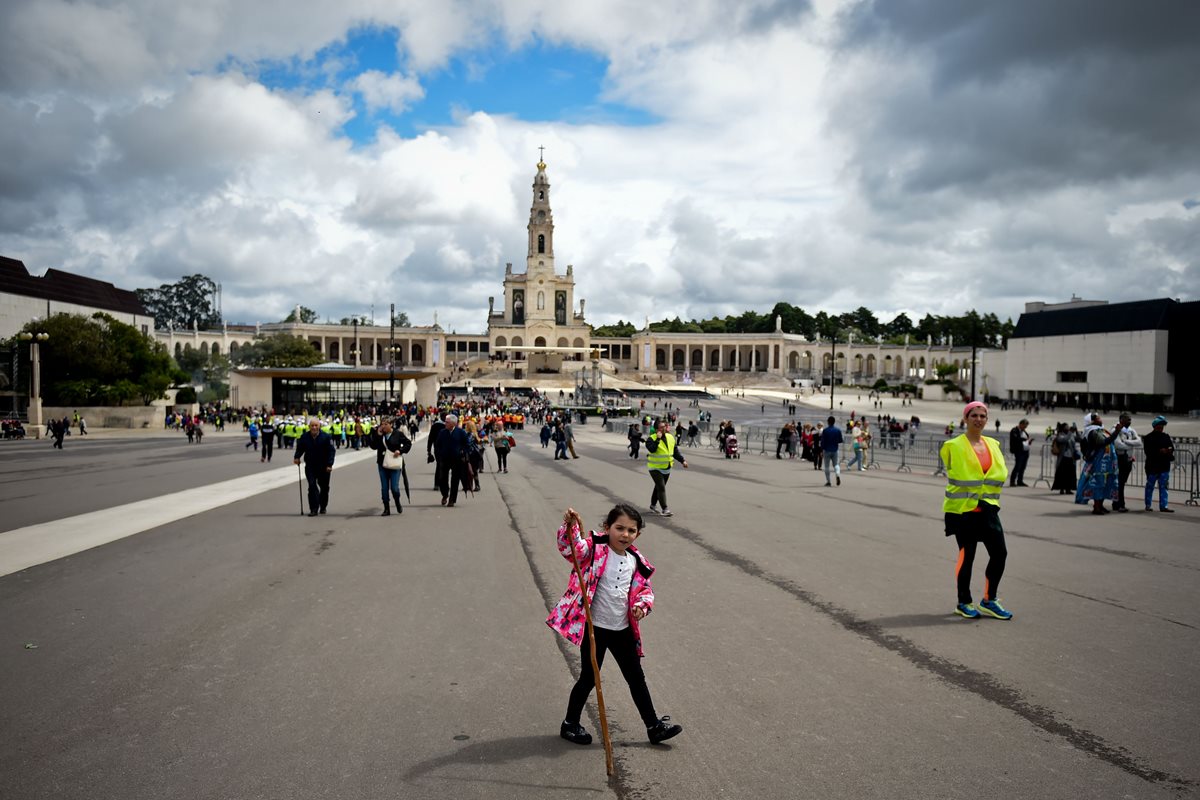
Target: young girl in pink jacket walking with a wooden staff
x,y
619,596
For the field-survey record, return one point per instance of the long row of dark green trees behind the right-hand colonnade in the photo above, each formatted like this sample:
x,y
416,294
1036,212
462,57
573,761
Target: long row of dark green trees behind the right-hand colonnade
x,y
985,330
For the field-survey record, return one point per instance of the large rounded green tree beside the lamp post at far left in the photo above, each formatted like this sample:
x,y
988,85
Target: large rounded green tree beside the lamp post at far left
x,y
101,362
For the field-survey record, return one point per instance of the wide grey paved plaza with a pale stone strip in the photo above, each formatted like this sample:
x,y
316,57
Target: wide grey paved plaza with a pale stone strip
x,y
803,636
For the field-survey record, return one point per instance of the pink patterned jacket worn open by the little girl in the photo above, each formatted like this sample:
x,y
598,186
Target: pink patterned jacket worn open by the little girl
x,y
593,552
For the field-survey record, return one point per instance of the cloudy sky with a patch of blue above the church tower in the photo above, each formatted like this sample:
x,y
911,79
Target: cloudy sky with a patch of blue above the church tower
x,y
706,158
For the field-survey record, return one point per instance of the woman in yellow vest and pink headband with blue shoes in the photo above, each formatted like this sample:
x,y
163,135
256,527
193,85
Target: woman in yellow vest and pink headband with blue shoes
x,y
976,471
